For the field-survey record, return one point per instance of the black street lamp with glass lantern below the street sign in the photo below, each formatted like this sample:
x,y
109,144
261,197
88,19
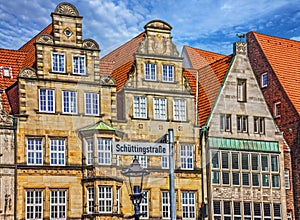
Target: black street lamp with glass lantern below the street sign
x,y
135,174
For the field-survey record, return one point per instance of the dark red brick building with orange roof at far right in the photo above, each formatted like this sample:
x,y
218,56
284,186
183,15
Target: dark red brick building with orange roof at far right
x,y
276,64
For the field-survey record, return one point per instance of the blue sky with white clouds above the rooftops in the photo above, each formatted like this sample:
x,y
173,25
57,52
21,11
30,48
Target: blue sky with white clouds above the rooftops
x,y
204,24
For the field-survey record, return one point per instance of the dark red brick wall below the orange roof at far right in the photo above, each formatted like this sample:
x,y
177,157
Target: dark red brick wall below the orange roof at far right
x,y
289,120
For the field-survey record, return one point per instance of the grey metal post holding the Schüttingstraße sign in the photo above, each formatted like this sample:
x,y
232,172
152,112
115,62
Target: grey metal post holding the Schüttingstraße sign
x,y
171,166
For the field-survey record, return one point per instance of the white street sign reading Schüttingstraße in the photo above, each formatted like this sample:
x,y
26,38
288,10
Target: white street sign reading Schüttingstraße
x,y
140,148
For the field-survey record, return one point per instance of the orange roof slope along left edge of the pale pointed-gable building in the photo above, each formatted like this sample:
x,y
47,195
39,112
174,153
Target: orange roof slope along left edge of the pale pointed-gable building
x,y
210,79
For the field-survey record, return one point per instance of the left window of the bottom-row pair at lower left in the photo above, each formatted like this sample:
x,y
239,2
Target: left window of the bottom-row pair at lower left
x,y
34,205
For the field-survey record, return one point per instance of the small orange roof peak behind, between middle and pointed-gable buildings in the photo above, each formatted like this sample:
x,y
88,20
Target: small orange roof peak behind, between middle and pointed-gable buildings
x,y
198,58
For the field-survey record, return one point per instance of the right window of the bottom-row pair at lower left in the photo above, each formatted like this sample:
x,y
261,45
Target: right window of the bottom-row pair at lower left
x,y
58,204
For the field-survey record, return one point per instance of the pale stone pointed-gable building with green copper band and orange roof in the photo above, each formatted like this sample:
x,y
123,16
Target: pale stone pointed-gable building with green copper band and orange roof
x,y
242,147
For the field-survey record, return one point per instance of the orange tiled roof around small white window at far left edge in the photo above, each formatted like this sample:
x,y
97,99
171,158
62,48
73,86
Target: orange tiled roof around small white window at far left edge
x,y
15,60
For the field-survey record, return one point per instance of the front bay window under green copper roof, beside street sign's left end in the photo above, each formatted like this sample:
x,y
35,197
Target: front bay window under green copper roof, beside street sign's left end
x,y
104,151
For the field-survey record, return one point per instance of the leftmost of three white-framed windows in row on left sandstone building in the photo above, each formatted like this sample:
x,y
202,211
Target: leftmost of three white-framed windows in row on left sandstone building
x,y
46,100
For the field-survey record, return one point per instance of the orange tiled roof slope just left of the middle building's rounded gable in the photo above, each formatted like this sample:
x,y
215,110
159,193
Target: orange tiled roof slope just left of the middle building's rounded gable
x,y
119,62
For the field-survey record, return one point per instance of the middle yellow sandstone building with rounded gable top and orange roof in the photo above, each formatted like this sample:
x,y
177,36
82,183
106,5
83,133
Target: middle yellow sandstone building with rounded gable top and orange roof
x,y
152,97
